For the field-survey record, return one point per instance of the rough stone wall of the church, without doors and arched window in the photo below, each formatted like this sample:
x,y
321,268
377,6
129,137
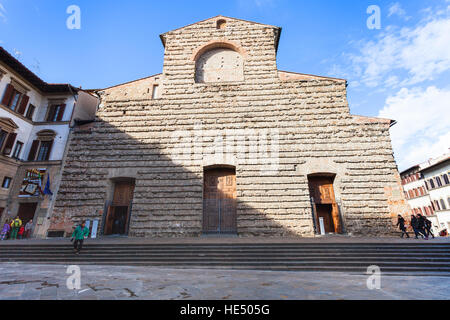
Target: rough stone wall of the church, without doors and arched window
x,y
140,138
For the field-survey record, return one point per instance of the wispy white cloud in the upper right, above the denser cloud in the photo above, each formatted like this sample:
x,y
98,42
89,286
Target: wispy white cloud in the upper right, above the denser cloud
x,y
422,52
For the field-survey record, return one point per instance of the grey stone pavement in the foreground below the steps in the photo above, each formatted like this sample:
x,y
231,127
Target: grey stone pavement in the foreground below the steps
x,y
48,282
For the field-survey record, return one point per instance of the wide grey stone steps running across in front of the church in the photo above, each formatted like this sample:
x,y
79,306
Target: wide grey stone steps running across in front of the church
x,y
334,257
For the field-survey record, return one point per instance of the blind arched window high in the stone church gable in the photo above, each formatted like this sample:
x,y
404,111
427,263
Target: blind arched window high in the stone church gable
x,y
219,64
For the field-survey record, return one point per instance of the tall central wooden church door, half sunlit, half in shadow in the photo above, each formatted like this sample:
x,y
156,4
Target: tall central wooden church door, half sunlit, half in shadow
x,y
219,202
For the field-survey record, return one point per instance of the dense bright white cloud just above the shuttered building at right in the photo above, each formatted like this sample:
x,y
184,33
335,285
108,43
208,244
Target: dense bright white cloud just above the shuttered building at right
x,y
423,128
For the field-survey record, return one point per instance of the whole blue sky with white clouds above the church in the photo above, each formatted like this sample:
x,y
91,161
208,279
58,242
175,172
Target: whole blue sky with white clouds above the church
x,y
400,71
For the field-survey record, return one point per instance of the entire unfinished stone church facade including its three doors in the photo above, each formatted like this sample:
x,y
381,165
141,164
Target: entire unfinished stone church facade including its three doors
x,y
222,142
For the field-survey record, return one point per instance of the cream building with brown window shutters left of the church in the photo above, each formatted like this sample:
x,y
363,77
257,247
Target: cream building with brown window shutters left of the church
x,y
35,121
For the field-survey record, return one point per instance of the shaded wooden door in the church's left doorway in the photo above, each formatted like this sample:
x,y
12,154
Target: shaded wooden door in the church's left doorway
x,y
118,215
